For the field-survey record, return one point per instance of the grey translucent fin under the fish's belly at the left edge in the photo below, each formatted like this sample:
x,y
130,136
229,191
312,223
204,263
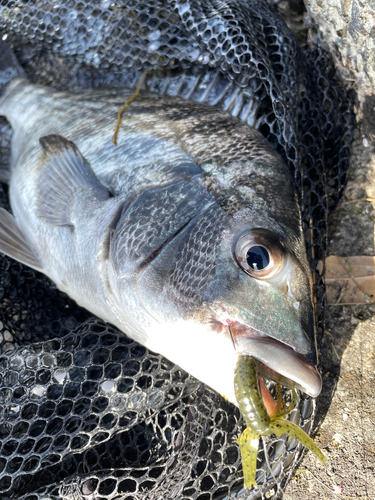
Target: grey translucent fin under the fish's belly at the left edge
x,y
14,244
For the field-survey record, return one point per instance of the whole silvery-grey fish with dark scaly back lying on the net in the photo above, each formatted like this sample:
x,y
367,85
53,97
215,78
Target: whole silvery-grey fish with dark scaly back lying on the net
x,y
186,235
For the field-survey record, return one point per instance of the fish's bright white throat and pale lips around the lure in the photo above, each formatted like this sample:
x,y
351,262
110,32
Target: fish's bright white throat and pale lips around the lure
x,y
207,352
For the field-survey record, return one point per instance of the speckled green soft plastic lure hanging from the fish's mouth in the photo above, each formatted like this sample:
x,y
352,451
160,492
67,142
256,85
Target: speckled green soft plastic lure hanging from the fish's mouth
x,y
258,422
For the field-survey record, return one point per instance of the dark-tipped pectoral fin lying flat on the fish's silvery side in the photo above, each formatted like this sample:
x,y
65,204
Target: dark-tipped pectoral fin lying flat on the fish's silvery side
x,y
64,171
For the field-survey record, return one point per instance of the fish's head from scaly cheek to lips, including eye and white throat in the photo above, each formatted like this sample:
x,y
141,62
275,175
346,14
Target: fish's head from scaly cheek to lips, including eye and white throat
x,y
221,288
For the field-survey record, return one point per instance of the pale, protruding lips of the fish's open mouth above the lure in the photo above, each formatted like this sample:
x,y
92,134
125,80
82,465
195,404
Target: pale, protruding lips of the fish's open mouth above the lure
x,y
278,361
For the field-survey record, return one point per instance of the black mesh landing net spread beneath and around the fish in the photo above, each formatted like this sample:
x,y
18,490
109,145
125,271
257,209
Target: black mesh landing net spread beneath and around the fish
x,y
85,412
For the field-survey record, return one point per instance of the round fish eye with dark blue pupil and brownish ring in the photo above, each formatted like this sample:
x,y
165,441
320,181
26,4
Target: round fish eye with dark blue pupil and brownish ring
x,y
260,254
